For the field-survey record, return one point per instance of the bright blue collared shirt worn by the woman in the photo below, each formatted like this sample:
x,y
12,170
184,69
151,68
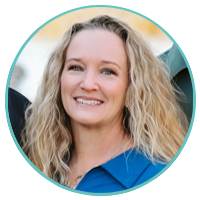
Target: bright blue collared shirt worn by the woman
x,y
123,172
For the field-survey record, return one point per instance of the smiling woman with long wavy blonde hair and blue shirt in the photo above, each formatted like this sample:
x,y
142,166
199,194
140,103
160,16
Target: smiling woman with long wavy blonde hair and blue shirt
x,y
105,117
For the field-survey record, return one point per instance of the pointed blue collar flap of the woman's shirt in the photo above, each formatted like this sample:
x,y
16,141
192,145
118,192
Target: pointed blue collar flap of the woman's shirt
x,y
127,167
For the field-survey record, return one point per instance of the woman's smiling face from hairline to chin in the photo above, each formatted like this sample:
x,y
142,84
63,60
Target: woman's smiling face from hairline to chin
x,y
95,78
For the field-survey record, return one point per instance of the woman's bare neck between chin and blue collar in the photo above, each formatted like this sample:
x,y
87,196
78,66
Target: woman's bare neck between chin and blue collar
x,y
97,145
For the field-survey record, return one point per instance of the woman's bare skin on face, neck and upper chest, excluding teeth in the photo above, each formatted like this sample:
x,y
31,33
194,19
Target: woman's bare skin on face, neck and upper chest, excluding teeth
x,y
95,69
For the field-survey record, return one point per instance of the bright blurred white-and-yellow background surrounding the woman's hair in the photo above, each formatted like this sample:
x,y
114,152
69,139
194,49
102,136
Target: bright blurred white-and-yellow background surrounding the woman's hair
x,y
29,67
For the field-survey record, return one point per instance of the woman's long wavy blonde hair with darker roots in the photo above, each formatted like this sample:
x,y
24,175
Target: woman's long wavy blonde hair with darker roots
x,y
152,116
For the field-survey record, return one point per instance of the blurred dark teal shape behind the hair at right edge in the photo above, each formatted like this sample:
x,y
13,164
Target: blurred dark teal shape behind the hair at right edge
x,y
181,77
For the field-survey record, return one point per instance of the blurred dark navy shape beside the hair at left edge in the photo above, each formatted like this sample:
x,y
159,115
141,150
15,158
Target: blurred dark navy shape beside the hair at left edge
x,y
17,105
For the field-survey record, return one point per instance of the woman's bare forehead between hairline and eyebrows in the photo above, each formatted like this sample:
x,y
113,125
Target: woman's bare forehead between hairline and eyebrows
x,y
97,44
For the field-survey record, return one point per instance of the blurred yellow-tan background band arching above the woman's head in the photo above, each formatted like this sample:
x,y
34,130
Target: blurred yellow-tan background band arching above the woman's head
x,y
58,26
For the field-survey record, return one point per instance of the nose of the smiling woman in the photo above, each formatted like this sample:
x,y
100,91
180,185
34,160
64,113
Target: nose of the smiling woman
x,y
90,81
